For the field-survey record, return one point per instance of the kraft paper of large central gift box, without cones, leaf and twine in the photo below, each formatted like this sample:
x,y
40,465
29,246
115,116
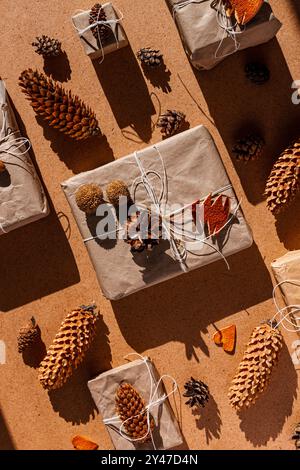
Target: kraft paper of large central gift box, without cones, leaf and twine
x,y
194,169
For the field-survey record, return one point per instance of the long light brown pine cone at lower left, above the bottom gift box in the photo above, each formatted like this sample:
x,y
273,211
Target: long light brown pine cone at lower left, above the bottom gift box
x,y
69,347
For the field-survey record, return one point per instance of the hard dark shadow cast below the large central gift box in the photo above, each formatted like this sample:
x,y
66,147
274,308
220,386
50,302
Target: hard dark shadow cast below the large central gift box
x,y
182,308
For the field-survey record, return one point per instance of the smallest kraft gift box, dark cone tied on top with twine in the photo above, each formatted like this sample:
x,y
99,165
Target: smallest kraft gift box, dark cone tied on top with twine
x,y
100,31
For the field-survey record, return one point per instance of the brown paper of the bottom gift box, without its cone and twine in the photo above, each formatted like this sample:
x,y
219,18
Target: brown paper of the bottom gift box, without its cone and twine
x,y
104,387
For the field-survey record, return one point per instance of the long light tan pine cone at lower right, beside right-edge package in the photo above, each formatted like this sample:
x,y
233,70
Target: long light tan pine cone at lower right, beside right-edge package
x,y
254,371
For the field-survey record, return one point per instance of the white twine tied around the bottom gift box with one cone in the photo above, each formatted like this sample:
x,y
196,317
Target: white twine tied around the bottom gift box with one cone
x,y
154,401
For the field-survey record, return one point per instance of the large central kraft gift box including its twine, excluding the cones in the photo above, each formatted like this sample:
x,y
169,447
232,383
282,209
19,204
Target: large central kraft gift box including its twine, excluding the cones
x,y
181,170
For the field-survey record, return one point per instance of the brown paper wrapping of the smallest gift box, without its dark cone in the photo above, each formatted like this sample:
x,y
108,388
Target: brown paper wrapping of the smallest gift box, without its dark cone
x,y
88,40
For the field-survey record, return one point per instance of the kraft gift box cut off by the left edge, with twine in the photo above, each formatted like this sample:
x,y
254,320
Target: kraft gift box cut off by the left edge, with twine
x,y
22,198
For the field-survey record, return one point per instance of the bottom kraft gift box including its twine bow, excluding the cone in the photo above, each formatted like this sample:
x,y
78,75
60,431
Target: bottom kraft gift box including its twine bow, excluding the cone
x,y
142,375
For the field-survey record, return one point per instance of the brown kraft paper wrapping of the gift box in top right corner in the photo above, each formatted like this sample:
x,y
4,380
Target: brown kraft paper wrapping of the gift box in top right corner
x,y
207,43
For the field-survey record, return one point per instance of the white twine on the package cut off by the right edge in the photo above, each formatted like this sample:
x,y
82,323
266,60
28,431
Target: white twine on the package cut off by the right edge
x,y
286,315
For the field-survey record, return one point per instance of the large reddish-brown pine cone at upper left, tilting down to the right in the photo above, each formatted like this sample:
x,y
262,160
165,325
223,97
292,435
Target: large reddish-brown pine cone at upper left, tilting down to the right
x,y
59,108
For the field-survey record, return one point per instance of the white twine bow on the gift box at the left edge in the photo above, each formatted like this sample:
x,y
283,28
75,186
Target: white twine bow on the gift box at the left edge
x,y
10,145
